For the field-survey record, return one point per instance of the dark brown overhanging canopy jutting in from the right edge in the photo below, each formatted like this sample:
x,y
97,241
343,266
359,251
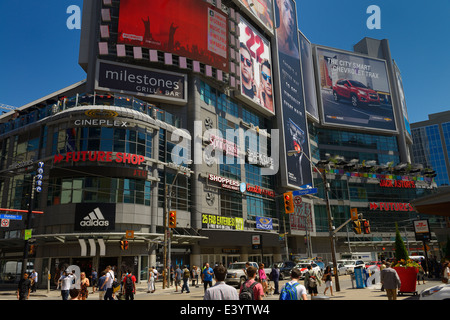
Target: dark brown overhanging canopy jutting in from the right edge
x,y
435,204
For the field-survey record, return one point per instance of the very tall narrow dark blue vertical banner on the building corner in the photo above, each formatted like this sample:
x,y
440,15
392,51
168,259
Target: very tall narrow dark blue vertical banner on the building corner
x,y
296,168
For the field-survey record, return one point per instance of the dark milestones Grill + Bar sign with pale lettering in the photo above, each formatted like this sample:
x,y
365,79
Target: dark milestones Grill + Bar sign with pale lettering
x,y
144,82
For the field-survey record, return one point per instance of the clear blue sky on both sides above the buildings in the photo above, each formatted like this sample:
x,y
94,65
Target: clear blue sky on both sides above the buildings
x,y
39,54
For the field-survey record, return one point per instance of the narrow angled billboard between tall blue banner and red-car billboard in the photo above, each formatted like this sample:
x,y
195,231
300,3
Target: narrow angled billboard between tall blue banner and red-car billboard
x,y
309,82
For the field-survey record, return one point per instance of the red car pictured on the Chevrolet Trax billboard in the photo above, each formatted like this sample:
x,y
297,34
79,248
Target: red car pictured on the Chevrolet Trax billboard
x,y
356,92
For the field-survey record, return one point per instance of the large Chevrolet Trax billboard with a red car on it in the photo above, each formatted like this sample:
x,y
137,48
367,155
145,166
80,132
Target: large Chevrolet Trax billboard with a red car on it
x,y
354,90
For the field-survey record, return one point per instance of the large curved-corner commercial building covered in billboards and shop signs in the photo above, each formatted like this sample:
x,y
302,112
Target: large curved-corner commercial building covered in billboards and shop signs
x,y
167,125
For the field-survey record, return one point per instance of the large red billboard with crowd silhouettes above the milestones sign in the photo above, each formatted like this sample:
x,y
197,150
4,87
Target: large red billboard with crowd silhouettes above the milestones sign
x,y
188,28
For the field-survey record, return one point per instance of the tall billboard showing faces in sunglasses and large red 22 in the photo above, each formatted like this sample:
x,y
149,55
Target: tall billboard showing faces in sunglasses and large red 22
x,y
255,68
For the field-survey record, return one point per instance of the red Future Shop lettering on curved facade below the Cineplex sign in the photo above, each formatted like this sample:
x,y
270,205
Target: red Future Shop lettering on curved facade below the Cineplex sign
x,y
99,156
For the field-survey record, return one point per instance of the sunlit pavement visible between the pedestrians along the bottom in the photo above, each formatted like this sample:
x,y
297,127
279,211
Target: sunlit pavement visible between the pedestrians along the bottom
x,y
346,293
